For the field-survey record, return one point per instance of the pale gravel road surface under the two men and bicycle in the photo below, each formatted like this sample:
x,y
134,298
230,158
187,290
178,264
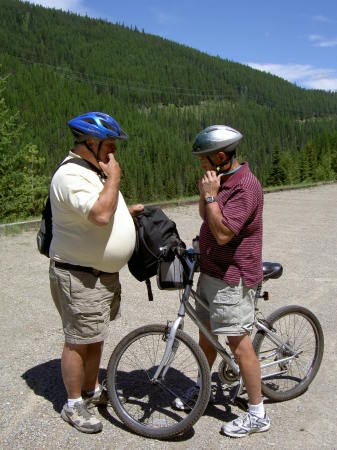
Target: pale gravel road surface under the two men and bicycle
x,y
300,231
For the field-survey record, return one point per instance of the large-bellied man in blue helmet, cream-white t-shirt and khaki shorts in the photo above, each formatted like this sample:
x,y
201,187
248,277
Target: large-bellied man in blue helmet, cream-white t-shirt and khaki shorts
x,y
93,238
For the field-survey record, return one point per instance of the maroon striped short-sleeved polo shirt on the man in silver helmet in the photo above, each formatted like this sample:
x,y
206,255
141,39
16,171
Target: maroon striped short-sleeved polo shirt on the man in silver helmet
x,y
240,199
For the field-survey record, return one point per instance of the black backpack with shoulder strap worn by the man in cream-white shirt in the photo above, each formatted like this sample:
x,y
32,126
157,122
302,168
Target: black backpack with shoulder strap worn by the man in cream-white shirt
x,y
45,233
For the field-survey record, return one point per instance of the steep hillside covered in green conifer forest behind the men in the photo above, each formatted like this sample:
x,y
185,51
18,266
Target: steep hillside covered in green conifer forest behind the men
x,y
55,65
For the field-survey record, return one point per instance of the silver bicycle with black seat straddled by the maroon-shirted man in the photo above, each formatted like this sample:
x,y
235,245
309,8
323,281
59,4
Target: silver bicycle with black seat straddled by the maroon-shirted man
x,y
155,364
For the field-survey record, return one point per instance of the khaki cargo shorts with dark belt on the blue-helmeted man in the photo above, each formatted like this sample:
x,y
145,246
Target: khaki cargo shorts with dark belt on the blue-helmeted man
x,y
86,303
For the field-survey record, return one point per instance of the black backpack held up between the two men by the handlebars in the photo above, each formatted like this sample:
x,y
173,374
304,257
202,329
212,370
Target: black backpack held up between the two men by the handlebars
x,y
153,231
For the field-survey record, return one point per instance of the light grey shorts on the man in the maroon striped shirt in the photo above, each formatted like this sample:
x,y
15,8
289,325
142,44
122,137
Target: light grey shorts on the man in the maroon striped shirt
x,y
231,308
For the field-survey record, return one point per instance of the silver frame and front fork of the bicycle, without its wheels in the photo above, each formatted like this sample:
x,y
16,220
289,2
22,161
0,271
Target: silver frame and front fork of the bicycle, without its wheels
x,y
190,263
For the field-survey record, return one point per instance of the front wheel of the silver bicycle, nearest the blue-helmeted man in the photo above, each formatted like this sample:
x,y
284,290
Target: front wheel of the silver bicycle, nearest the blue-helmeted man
x,y
134,398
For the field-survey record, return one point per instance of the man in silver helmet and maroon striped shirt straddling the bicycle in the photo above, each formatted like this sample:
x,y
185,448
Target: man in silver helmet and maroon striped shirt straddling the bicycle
x,y
231,205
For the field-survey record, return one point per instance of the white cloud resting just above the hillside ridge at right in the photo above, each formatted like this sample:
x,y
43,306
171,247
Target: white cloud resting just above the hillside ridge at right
x,y
302,74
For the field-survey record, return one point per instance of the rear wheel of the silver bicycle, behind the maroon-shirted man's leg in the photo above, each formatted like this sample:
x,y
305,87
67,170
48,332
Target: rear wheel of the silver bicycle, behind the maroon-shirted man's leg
x,y
299,328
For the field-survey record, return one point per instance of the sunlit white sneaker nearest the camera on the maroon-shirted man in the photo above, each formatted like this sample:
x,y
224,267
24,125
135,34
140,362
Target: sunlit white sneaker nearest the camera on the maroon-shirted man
x,y
246,424
